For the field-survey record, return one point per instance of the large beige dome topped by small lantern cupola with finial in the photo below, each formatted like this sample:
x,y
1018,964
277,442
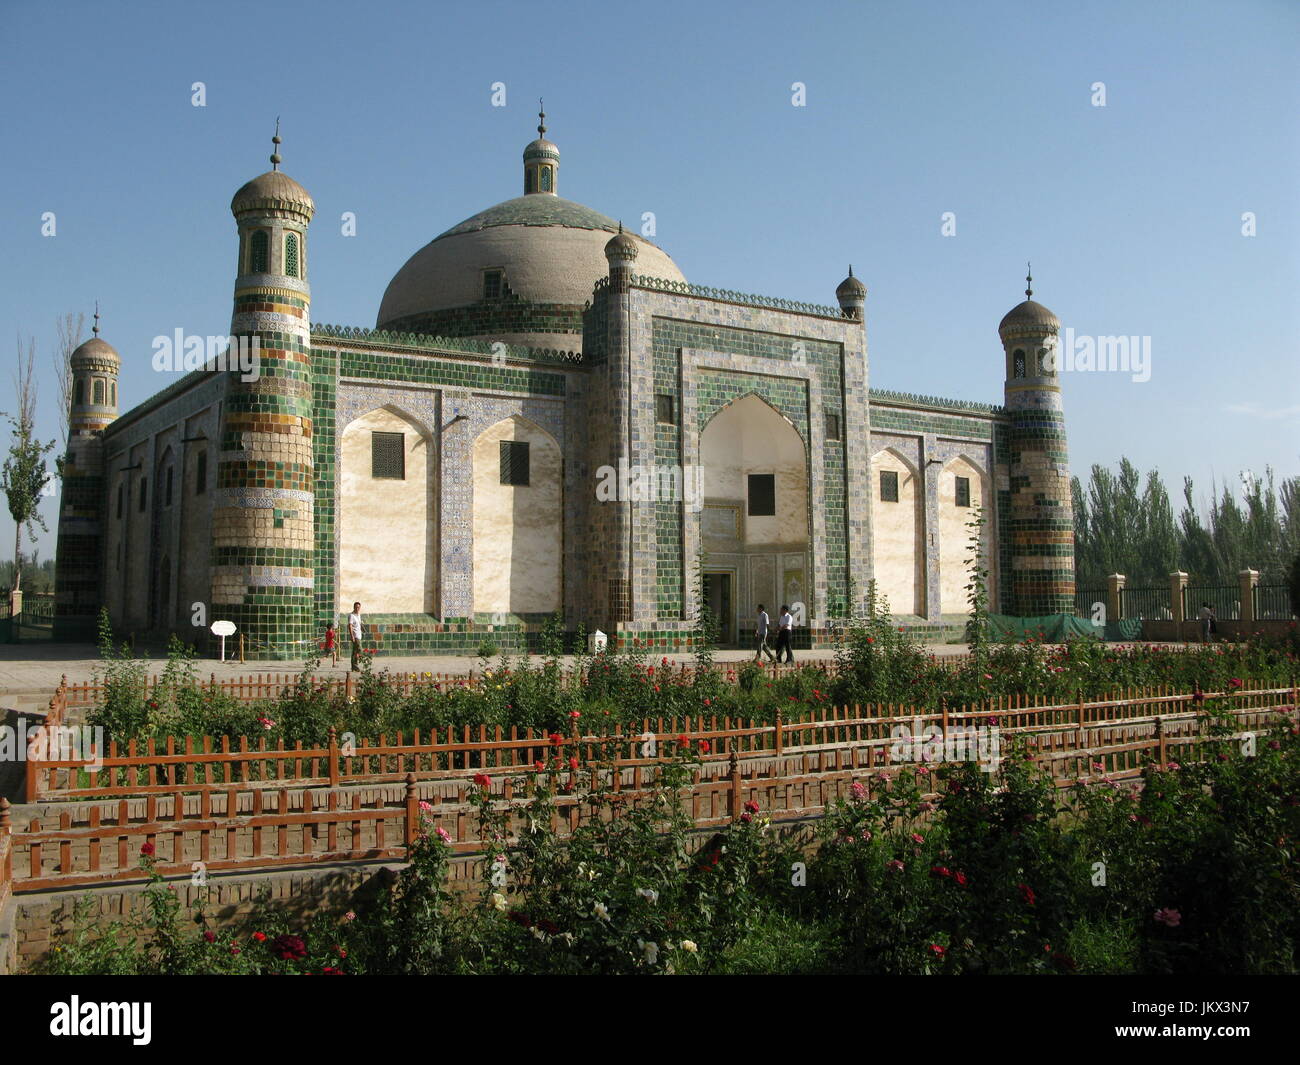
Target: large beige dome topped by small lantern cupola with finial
x,y
521,272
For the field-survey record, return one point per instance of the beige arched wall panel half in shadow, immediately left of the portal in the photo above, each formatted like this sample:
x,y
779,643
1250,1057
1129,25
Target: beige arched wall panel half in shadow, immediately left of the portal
x,y
519,535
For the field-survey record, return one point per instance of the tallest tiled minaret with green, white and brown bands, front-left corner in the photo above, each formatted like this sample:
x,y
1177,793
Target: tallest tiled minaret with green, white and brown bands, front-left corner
x,y
263,517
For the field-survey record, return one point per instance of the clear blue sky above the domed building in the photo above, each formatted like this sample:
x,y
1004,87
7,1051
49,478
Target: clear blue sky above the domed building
x,y
1132,213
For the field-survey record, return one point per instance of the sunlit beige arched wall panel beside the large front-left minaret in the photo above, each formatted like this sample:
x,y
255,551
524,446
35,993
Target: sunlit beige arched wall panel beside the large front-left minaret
x,y
388,527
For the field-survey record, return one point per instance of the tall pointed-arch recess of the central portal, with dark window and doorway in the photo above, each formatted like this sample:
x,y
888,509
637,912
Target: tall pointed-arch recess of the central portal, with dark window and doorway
x,y
755,526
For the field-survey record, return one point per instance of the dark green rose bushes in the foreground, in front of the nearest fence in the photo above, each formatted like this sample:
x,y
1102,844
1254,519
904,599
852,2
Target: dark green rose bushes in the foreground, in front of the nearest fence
x,y
964,869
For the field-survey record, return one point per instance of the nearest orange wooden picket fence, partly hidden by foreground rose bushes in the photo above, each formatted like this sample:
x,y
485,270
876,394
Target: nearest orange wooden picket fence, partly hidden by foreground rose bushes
x,y
255,830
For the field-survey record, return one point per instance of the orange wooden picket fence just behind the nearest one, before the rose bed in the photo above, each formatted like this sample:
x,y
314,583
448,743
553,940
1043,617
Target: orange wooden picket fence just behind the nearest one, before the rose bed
x,y
211,764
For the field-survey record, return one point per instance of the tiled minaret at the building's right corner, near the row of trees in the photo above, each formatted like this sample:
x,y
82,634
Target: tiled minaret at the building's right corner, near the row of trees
x,y
1041,522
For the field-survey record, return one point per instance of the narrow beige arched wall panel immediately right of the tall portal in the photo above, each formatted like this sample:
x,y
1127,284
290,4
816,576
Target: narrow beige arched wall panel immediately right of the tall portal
x,y
899,534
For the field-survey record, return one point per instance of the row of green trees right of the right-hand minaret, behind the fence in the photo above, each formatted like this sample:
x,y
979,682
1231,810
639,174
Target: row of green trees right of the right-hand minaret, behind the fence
x,y
1125,525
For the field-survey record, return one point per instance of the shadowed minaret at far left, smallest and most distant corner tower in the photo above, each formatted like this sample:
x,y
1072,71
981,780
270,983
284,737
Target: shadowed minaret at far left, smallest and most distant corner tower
x,y
79,559
